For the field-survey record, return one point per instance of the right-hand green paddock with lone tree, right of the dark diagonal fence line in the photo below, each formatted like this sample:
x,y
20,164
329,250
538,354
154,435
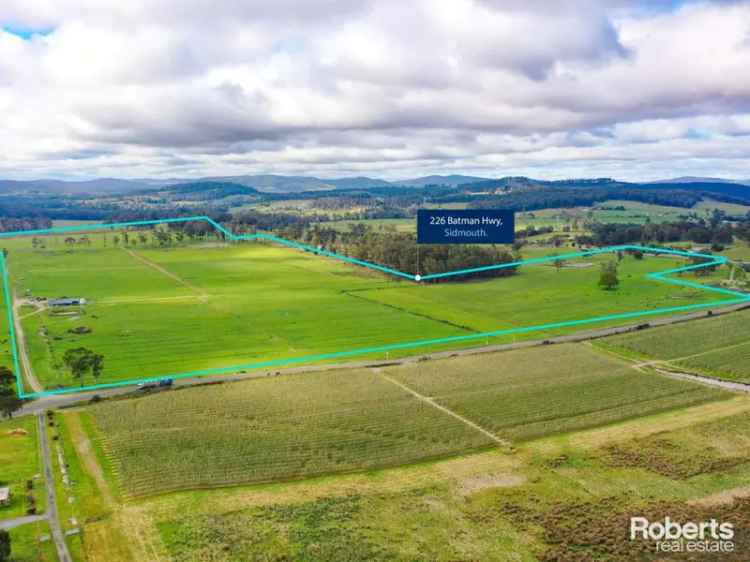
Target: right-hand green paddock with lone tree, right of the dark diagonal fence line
x,y
548,295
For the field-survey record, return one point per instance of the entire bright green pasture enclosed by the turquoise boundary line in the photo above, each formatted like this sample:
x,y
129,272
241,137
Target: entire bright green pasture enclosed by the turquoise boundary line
x,y
165,311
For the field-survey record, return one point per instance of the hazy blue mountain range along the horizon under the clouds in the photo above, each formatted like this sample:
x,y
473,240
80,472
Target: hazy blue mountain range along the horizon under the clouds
x,y
297,184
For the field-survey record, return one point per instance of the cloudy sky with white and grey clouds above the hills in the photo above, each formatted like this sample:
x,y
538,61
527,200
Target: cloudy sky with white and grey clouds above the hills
x,y
388,88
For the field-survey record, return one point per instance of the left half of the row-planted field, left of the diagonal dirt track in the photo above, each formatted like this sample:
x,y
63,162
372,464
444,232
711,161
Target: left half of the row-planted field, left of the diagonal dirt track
x,y
274,429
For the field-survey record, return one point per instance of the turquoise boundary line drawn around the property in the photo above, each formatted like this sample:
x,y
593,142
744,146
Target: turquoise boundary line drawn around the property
x,y
662,276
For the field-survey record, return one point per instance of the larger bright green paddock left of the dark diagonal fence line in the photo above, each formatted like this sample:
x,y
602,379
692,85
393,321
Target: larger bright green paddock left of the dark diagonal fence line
x,y
157,312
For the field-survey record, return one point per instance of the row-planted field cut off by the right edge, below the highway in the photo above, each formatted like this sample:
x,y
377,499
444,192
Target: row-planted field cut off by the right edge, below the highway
x,y
718,346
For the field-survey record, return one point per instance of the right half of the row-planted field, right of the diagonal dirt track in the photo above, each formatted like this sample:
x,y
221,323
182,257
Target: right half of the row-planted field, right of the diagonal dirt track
x,y
529,393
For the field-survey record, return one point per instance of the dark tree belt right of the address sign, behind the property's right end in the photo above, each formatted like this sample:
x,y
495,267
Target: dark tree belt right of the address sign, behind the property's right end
x,y
714,231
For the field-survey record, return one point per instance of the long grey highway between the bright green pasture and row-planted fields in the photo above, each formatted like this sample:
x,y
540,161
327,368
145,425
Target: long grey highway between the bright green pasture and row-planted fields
x,y
60,401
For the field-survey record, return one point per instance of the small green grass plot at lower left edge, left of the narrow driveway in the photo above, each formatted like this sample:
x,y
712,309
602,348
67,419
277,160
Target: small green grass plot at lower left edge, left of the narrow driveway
x,y
19,462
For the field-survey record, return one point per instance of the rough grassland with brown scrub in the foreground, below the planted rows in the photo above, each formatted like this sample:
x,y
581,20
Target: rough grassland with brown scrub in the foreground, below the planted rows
x,y
476,507
